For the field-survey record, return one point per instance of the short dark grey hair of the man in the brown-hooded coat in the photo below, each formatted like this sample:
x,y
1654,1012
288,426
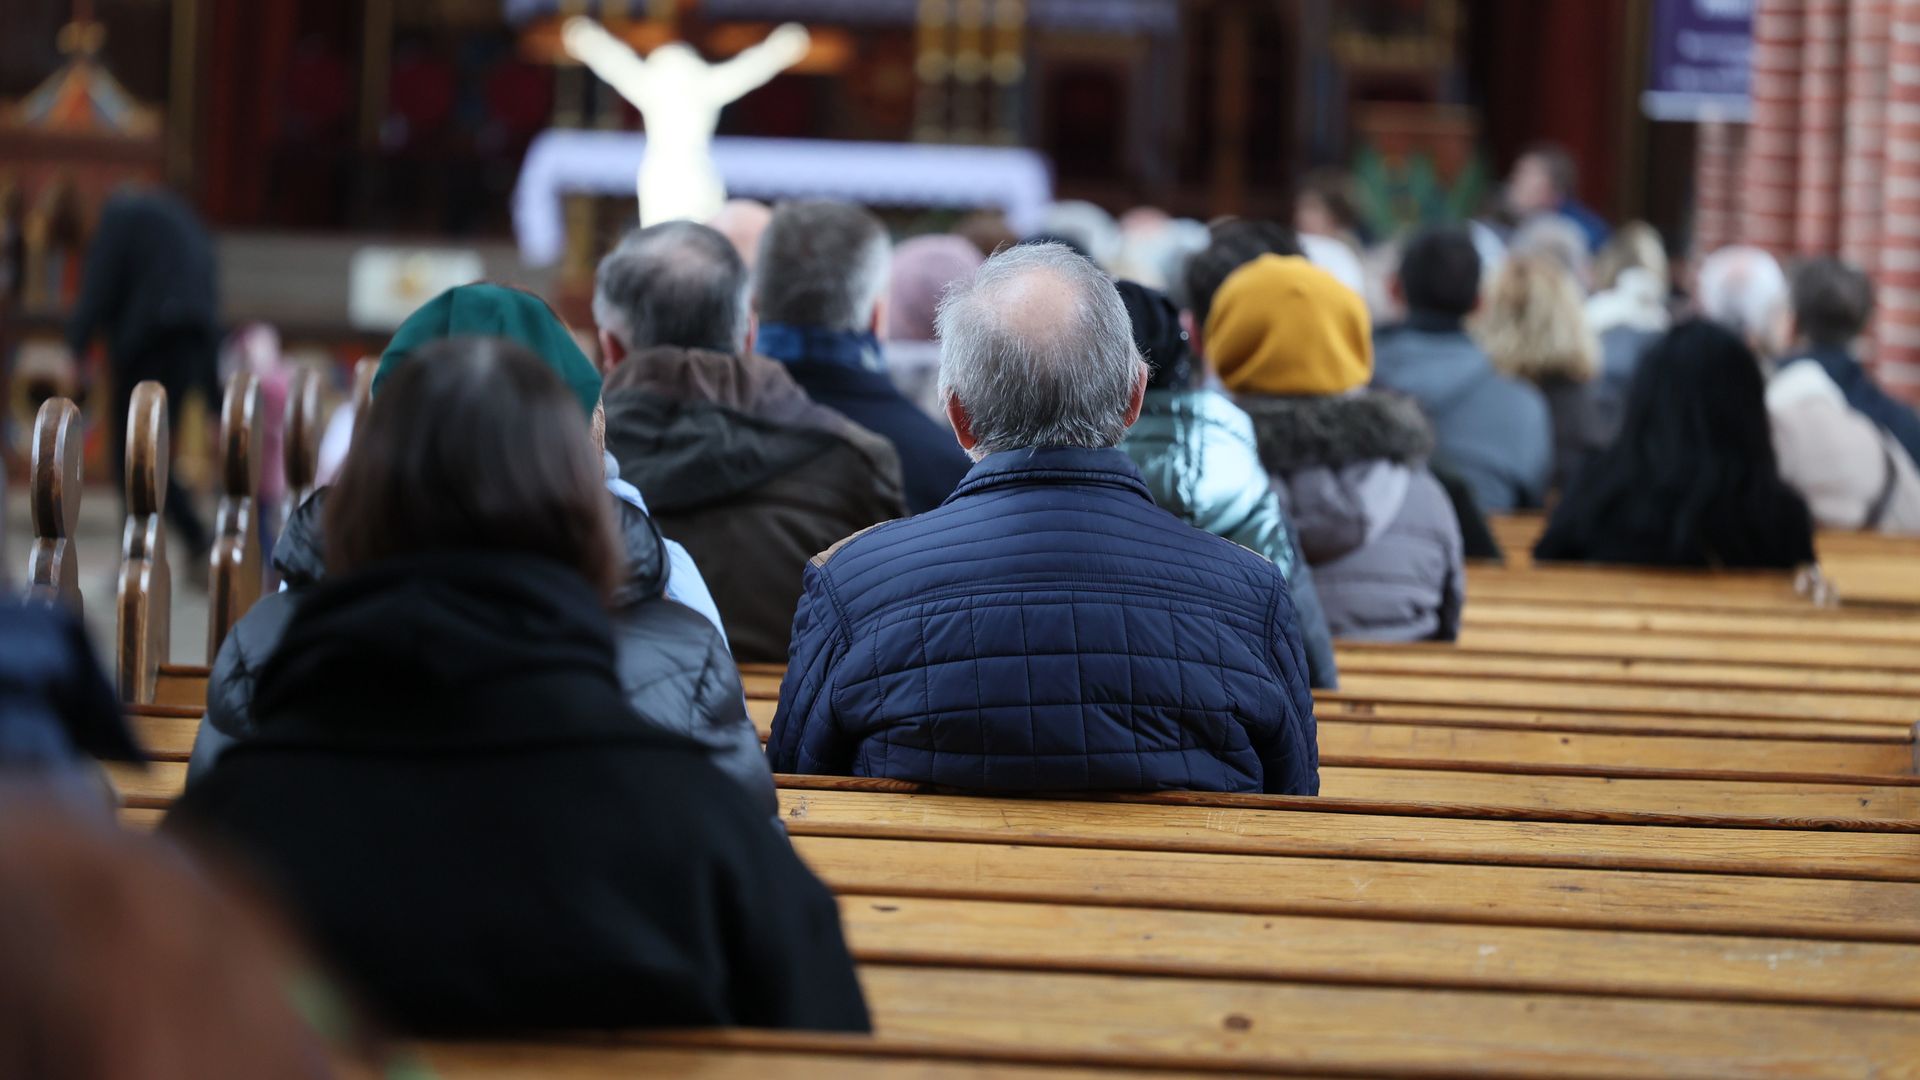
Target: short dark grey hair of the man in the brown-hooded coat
x,y
673,285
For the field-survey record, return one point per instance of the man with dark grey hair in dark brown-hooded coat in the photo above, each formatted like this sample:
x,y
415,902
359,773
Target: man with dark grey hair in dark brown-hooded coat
x,y
734,458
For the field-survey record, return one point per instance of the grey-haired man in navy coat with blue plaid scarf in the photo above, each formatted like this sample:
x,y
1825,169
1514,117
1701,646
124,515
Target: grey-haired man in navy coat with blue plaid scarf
x,y
821,291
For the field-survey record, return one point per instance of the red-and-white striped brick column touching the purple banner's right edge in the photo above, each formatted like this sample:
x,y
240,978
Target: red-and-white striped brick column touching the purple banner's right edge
x,y
1771,170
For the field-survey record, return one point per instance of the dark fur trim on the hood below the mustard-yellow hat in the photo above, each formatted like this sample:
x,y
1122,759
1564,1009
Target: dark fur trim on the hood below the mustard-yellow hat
x,y
1305,433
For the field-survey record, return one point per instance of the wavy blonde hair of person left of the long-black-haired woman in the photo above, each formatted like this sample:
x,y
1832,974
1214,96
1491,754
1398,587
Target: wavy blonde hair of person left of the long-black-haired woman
x,y
1533,324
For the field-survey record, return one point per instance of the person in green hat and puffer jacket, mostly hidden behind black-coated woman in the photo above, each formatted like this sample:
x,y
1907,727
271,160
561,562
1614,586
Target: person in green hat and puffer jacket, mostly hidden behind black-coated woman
x,y
673,656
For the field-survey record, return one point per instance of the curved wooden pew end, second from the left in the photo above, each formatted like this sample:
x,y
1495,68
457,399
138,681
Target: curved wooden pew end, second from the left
x,y
145,595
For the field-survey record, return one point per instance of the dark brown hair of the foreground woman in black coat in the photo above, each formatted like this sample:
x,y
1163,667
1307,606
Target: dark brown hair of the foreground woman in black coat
x,y
475,445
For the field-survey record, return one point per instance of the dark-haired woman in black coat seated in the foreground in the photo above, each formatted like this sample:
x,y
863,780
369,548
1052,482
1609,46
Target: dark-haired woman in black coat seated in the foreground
x,y
448,781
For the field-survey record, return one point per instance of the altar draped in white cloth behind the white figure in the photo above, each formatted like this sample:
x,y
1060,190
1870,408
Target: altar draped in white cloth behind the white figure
x,y
567,162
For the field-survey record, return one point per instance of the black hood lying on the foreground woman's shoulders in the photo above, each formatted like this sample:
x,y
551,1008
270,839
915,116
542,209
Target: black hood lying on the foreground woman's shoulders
x,y
456,635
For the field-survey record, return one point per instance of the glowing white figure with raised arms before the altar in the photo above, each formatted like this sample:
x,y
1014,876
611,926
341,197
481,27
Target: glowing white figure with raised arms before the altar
x,y
681,97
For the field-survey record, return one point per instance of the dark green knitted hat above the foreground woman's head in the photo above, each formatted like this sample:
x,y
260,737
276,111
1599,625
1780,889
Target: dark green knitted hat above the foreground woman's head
x,y
494,312
